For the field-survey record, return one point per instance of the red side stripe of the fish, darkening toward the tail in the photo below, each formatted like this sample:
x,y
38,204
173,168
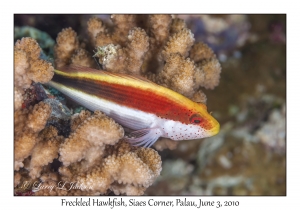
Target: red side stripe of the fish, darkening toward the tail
x,y
144,100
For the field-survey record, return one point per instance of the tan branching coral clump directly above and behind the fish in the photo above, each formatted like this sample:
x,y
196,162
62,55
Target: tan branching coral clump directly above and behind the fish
x,y
160,53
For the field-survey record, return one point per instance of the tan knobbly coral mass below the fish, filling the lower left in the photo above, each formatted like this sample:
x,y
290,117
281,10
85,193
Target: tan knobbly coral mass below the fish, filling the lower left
x,y
92,156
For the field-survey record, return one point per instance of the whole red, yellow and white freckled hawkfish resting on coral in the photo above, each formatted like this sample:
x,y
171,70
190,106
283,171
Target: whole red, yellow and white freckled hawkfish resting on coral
x,y
148,110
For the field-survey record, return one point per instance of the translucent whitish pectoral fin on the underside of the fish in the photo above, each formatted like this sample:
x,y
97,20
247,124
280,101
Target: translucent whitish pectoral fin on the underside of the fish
x,y
144,137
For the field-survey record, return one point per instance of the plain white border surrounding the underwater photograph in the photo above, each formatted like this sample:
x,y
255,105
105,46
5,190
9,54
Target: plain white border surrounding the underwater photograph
x,y
186,6
